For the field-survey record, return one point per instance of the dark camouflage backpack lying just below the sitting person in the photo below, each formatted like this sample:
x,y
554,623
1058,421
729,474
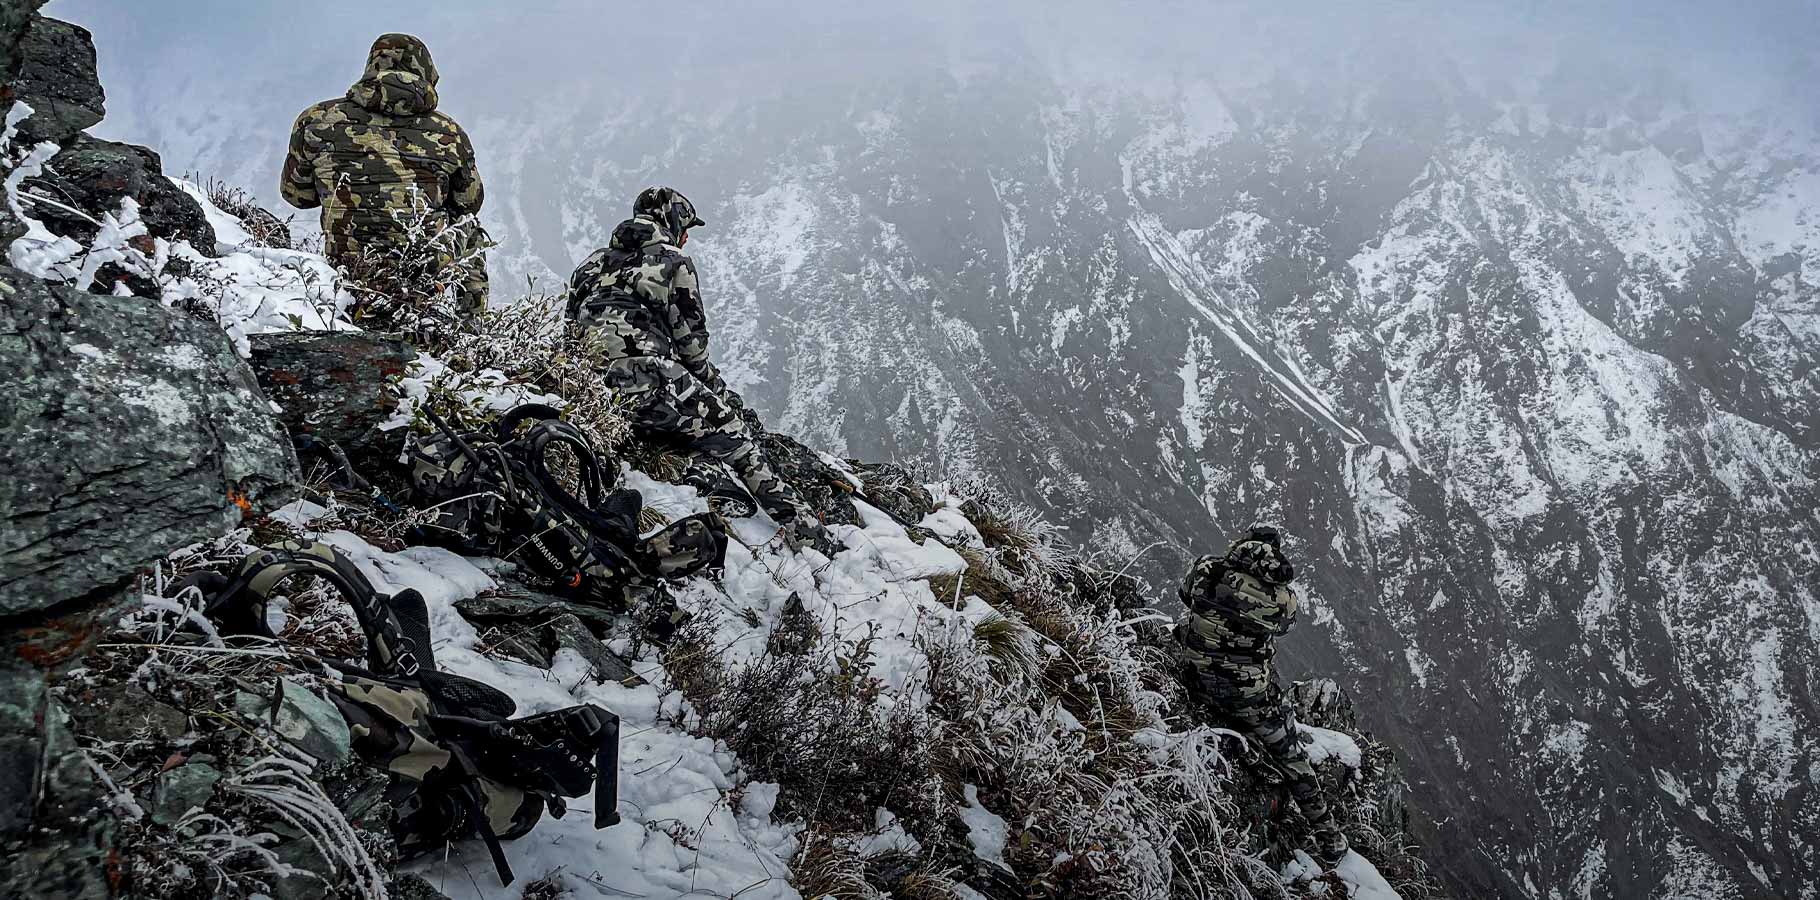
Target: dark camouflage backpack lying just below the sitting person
x,y
496,495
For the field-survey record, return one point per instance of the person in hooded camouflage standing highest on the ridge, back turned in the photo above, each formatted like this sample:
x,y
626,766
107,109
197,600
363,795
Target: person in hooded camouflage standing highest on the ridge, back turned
x,y
396,181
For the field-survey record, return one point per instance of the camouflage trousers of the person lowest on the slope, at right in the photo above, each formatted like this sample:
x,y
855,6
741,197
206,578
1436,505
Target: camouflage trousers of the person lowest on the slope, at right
x,y
1253,705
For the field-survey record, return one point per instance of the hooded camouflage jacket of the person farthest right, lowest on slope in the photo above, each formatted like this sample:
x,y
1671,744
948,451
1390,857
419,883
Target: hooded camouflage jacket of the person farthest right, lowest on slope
x,y
1239,606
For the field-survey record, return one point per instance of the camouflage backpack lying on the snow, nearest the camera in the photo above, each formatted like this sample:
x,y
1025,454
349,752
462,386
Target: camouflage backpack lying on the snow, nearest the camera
x,y
461,768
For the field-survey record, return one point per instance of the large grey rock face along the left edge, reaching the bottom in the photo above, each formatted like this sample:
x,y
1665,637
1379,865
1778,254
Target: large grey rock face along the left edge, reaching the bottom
x,y
132,432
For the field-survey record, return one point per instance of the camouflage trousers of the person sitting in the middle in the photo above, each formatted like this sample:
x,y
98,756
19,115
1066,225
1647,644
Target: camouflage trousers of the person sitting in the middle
x,y
672,405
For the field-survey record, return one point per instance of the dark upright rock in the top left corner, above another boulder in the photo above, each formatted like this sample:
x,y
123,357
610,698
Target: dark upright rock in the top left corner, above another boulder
x,y
57,77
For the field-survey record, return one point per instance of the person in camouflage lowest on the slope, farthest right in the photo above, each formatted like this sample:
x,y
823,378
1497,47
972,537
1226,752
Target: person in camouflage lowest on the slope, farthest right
x,y
1237,608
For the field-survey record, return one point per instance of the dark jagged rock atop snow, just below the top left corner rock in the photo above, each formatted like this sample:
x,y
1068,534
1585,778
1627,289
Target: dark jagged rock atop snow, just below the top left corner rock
x,y
94,175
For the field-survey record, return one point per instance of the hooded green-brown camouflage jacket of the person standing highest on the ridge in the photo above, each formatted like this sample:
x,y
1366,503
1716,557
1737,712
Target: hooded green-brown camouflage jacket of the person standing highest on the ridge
x,y
381,148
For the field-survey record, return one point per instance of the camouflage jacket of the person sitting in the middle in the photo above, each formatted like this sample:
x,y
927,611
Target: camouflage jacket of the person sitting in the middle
x,y
640,297
